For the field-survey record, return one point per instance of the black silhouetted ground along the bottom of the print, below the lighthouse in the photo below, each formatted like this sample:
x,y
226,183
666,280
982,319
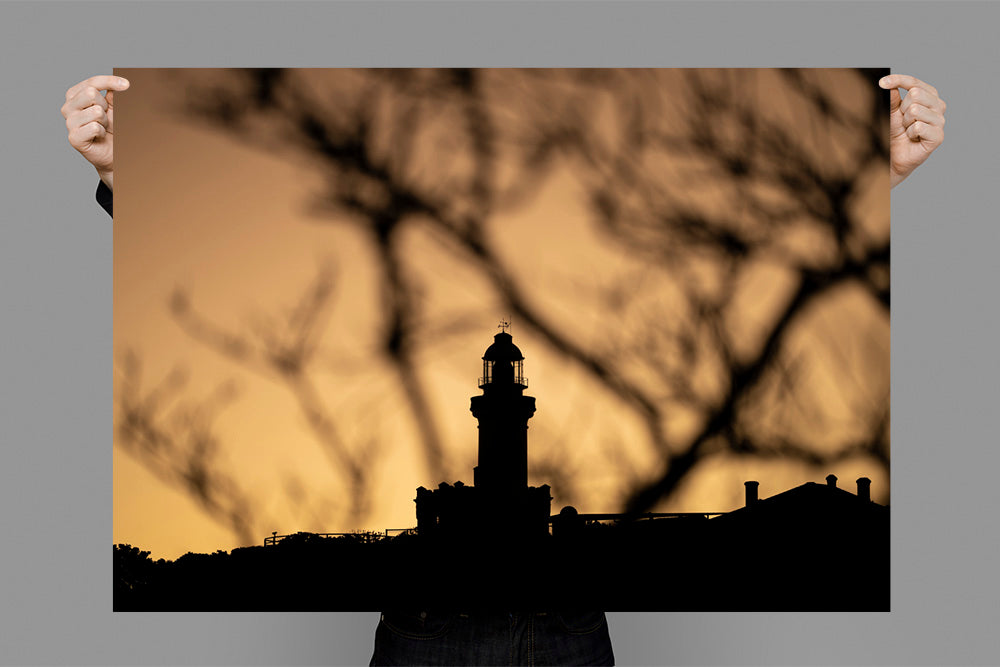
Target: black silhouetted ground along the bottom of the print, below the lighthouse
x,y
838,563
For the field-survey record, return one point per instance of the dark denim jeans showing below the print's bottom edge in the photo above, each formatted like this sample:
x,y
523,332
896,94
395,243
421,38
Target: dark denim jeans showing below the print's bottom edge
x,y
518,638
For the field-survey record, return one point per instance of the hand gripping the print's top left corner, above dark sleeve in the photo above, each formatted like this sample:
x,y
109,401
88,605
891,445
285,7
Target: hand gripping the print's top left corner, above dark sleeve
x,y
90,121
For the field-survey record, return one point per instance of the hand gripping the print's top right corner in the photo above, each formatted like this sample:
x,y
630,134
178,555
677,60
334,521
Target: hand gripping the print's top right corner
x,y
916,126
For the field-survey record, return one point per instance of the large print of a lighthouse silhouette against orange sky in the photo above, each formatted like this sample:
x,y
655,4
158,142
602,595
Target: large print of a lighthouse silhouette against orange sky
x,y
492,338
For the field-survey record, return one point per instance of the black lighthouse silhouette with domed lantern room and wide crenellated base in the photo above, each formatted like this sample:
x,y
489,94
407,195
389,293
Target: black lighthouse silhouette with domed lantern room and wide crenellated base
x,y
499,503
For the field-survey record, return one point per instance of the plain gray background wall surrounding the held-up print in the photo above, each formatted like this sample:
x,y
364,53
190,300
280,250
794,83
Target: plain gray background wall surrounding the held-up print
x,y
56,271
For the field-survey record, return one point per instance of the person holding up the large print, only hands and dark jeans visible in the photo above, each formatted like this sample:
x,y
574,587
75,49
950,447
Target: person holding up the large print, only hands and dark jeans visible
x,y
916,129
